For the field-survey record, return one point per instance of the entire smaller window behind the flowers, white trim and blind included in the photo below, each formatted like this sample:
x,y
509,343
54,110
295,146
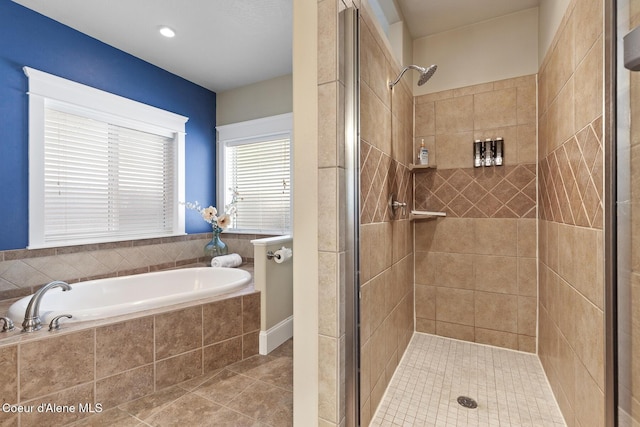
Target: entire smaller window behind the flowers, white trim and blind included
x,y
254,164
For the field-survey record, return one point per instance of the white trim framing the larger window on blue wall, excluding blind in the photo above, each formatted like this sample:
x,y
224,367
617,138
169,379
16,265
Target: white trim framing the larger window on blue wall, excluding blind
x,y
46,88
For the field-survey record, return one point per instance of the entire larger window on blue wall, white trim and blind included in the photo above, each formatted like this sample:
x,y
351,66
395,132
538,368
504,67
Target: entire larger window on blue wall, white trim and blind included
x,y
102,168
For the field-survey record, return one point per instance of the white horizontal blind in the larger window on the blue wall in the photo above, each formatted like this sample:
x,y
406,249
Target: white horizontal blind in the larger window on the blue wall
x,y
104,180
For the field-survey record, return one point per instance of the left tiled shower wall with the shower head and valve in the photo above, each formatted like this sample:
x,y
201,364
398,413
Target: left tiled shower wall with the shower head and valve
x,y
386,242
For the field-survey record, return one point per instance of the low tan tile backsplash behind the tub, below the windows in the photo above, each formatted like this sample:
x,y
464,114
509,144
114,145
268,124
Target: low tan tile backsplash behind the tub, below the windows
x,y
23,271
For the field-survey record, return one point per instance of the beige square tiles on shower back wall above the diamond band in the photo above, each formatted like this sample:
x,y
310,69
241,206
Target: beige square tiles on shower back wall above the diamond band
x,y
449,121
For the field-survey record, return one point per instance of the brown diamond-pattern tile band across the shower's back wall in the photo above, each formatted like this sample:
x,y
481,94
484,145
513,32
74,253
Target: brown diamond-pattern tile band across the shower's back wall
x,y
497,192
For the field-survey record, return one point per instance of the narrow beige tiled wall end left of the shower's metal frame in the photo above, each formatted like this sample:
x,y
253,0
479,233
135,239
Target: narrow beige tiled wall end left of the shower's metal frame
x,y
331,231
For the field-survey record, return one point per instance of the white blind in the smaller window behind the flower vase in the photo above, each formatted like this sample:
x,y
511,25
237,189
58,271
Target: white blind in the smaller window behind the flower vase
x,y
259,174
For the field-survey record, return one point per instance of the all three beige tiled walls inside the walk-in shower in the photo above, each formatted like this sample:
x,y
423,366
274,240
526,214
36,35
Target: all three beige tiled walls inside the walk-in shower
x,y
518,260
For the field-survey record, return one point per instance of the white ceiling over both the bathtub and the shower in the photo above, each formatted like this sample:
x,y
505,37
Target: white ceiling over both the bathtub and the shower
x,y
224,44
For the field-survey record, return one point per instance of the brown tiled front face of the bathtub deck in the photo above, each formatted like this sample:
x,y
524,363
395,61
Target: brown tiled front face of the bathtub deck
x,y
114,363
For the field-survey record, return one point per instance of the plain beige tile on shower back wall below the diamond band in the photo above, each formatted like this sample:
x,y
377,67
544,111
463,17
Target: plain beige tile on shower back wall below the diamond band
x,y
476,280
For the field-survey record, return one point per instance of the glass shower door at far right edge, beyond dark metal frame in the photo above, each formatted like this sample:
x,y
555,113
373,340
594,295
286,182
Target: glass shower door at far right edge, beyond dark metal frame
x,y
628,212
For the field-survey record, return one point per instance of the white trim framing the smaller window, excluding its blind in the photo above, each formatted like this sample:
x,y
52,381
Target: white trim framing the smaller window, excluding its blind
x,y
278,126
